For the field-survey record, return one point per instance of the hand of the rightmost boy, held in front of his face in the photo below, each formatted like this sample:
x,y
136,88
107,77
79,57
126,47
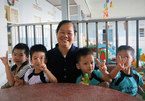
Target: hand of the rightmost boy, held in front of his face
x,y
121,62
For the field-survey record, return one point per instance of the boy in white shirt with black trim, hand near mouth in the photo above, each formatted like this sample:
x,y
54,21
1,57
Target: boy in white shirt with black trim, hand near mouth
x,y
39,72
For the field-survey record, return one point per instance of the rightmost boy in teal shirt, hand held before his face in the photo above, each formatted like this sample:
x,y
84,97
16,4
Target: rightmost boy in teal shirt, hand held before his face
x,y
125,79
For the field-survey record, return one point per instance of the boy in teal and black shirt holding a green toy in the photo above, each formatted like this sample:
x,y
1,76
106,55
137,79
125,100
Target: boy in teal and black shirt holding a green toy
x,y
85,62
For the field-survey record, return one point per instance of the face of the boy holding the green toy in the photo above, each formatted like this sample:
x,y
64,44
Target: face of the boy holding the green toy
x,y
86,64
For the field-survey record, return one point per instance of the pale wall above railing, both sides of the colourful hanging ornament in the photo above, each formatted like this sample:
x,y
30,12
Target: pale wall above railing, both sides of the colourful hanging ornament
x,y
122,8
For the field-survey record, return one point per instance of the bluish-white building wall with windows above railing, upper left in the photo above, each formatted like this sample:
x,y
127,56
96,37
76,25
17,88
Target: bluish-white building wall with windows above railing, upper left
x,y
27,11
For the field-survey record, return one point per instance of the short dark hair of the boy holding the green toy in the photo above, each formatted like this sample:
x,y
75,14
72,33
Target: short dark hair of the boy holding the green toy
x,y
83,52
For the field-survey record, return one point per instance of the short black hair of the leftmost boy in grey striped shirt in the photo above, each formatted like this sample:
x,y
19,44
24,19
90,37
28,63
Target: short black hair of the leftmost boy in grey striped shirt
x,y
22,46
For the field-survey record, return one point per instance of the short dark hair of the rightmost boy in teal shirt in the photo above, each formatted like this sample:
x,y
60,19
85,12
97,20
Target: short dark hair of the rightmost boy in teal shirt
x,y
126,48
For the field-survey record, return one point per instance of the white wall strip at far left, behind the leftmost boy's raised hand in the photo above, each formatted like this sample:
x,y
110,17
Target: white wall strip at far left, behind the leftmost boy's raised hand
x,y
3,41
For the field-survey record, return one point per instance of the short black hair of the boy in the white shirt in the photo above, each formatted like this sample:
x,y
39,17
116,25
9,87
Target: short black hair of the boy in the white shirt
x,y
37,48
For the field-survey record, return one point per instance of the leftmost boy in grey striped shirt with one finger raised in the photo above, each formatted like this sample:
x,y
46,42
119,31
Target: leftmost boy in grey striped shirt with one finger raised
x,y
20,55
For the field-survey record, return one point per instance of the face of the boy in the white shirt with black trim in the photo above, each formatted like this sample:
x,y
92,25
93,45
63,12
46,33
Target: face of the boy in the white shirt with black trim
x,y
38,58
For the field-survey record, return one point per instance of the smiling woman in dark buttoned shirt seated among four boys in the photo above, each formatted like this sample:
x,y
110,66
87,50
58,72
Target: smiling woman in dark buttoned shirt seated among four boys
x,y
61,59
